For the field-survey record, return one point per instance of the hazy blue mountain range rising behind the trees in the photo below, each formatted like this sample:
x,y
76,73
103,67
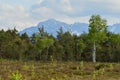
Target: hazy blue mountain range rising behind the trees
x,y
51,26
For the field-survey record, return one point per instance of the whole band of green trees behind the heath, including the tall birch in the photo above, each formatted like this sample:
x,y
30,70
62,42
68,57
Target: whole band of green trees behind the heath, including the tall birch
x,y
97,45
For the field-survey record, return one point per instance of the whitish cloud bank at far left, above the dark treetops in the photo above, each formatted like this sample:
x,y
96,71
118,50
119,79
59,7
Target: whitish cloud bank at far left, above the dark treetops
x,y
14,16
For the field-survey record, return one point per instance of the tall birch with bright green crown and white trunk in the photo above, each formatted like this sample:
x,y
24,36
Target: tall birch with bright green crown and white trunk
x,y
97,32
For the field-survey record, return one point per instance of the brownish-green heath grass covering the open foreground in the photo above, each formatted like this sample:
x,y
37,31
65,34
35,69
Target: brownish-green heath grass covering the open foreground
x,y
59,70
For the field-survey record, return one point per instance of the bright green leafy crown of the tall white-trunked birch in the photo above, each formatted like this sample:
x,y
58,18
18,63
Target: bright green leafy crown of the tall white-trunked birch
x,y
97,27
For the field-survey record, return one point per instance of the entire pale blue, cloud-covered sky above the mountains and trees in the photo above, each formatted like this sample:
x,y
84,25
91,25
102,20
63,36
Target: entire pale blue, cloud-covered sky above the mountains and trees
x,y
25,13
